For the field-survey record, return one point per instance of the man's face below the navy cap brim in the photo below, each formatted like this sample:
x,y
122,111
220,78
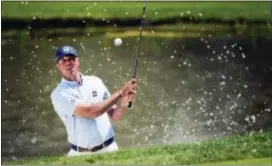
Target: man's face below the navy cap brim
x,y
68,65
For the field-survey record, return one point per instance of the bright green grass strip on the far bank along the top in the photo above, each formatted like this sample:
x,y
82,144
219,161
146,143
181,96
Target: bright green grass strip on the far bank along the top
x,y
124,10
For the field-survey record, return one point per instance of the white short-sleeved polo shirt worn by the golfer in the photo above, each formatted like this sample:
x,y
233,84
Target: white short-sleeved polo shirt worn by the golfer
x,y
83,132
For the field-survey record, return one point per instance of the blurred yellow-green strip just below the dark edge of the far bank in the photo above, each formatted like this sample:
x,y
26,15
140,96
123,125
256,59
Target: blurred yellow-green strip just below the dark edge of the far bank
x,y
161,31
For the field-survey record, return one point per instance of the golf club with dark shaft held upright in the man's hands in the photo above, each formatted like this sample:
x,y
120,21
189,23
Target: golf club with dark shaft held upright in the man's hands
x,y
138,47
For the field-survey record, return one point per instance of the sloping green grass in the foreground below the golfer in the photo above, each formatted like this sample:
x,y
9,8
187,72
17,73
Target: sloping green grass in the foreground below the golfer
x,y
253,148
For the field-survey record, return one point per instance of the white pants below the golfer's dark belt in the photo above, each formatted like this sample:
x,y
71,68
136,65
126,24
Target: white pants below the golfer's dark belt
x,y
111,148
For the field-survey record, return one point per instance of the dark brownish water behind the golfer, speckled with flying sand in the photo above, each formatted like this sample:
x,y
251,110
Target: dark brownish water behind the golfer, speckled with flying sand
x,y
189,89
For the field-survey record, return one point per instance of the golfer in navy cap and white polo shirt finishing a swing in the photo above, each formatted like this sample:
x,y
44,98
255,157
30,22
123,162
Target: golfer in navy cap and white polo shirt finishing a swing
x,y
85,106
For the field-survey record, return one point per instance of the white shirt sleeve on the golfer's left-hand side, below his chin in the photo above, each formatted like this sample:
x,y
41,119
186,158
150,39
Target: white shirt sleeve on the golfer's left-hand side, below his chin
x,y
65,102
